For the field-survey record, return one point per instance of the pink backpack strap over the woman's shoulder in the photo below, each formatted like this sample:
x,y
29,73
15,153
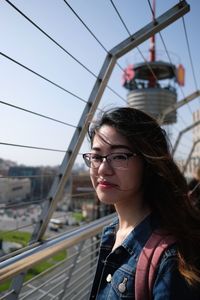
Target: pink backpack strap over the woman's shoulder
x,y
147,263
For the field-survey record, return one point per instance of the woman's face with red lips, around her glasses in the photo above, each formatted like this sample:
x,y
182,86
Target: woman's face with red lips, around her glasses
x,y
114,185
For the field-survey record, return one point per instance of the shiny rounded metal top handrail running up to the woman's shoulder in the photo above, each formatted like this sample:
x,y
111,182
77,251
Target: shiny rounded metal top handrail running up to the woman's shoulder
x,y
23,261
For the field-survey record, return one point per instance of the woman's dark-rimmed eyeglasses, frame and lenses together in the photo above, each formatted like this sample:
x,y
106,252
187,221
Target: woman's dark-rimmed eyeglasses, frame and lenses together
x,y
115,160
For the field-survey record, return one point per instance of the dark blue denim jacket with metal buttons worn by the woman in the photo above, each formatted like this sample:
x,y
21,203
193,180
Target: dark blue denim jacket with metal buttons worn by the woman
x,y
115,274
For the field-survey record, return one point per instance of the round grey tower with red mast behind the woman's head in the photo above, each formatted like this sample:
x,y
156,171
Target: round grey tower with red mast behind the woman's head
x,y
152,84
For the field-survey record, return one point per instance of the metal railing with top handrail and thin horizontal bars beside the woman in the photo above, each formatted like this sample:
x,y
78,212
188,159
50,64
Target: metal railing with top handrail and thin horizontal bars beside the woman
x,y
68,279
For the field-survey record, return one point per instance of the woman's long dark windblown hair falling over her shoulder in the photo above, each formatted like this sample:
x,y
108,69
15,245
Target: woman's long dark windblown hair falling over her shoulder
x,y
165,188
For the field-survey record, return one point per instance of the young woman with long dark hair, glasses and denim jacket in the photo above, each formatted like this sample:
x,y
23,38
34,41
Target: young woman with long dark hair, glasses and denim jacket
x,y
131,168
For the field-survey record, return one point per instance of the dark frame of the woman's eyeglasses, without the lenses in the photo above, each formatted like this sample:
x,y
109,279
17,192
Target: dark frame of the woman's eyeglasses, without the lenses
x,y
87,159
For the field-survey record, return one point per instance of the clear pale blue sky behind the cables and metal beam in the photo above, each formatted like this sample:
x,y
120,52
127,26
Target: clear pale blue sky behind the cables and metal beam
x,y
24,43
